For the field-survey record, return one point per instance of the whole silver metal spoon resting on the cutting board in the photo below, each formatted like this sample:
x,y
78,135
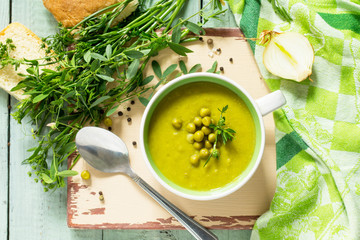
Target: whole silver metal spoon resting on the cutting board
x,y
106,152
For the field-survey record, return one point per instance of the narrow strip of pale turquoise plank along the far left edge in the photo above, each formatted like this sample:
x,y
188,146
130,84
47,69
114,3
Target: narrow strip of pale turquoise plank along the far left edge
x,y
4,118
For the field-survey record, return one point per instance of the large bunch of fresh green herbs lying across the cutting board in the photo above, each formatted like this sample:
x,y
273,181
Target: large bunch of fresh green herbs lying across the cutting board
x,y
83,60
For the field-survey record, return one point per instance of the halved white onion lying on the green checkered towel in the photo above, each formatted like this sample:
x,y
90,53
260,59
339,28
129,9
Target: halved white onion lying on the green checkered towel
x,y
288,55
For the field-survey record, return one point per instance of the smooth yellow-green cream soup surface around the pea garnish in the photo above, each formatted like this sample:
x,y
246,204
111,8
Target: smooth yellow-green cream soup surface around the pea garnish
x,y
171,151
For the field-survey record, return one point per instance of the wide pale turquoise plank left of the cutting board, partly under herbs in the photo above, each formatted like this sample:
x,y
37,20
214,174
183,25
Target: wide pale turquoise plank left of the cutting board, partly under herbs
x,y
33,213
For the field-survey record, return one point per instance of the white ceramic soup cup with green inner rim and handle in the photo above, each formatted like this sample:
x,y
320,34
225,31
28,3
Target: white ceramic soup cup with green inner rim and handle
x,y
257,109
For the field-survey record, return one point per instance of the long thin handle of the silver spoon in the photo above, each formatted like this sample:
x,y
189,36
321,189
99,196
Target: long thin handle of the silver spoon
x,y
198,231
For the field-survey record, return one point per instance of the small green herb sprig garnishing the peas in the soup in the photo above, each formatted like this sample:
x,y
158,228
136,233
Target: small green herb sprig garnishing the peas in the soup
x,y
222,134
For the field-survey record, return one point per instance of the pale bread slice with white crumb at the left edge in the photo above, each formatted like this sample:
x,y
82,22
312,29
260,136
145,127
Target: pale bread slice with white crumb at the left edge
x,y
28,46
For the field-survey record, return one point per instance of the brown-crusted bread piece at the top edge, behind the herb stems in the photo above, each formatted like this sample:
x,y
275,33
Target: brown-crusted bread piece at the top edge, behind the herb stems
x,y
71,12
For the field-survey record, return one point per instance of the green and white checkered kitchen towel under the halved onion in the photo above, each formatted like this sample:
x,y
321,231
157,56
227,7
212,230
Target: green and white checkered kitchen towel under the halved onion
x,y
318,131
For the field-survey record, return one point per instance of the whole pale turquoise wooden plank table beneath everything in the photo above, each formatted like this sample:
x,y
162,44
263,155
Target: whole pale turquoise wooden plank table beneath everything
x,y
26,212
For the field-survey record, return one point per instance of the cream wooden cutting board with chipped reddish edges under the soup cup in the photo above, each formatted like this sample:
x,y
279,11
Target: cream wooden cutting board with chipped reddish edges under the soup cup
x,y
127,206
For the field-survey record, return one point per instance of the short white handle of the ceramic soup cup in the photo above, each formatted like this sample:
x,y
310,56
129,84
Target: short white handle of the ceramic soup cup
x,y
271,102
